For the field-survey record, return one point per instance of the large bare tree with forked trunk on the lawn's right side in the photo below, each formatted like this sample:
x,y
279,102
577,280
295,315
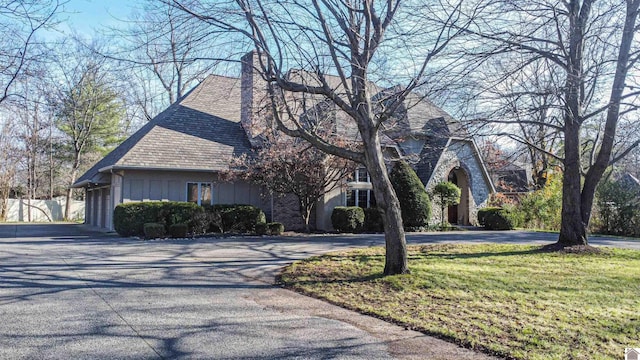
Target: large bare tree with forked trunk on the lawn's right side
x,y
590,46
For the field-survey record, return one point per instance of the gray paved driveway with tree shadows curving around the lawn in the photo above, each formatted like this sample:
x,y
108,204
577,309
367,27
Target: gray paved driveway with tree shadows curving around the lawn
x,y
66,292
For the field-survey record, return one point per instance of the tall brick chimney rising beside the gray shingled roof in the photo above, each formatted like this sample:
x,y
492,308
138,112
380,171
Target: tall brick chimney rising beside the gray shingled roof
x,y
253,108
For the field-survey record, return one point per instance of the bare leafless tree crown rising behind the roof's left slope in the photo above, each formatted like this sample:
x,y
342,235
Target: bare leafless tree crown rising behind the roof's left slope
x,y
165,50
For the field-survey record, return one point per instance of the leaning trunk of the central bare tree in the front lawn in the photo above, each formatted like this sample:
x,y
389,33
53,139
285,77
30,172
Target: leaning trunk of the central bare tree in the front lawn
x,y
387,201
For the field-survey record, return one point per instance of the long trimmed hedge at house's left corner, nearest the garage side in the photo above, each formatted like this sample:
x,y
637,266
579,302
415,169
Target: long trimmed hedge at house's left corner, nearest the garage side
x,y
129,218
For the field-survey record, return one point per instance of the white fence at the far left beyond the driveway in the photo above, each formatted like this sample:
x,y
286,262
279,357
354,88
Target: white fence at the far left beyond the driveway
x,y
43,210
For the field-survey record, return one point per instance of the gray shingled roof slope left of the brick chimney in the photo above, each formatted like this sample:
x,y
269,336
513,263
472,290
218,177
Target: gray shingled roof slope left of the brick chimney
x,y
201,131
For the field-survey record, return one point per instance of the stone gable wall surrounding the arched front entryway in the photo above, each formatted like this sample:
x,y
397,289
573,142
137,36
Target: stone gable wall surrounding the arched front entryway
x,y
461,154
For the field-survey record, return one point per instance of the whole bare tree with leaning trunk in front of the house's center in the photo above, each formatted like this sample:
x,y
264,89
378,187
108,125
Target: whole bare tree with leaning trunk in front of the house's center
x,y
324,55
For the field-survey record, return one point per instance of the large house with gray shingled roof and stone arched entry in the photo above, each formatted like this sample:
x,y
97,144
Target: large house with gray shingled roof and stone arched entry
x,y
180,154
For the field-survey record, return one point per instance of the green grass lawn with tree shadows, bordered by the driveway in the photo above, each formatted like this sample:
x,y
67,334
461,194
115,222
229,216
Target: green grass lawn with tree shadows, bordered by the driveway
x,y
513,301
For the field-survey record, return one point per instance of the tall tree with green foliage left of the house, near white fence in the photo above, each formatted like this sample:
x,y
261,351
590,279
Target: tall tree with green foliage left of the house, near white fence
x,y
89,113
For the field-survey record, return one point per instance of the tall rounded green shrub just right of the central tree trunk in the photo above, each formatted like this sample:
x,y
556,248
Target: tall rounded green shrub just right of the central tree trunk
x,y
414,200
